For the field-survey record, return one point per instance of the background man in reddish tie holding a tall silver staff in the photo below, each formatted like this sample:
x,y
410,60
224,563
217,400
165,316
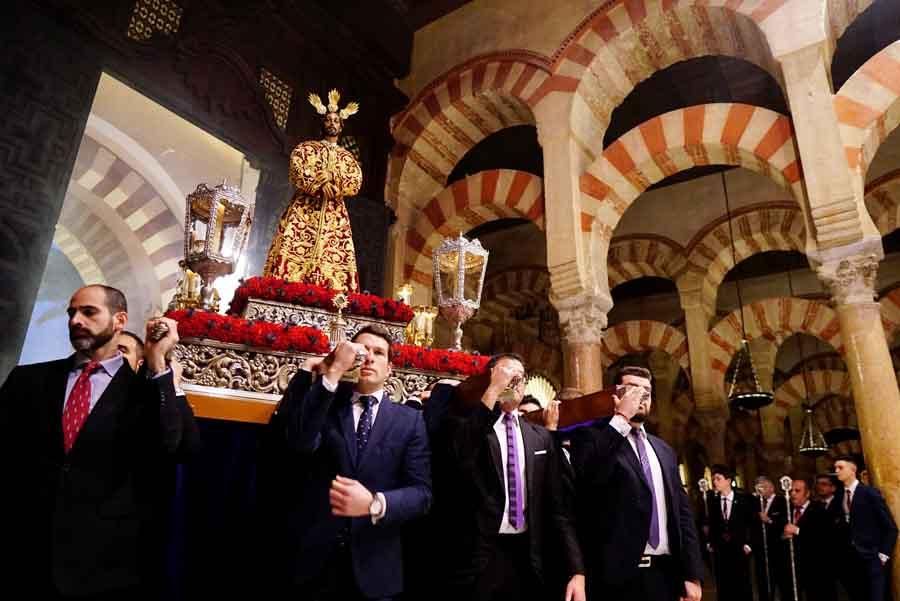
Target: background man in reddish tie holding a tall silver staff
x,y
808,529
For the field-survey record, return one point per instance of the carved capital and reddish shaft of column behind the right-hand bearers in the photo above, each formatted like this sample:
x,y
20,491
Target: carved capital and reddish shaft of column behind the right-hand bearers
x,y
582,319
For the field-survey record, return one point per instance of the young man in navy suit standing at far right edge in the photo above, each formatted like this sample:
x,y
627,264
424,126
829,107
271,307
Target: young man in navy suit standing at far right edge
x,y
866,534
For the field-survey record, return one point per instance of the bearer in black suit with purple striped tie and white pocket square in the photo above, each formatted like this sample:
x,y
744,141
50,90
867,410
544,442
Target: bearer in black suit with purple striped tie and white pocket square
x,y
508,505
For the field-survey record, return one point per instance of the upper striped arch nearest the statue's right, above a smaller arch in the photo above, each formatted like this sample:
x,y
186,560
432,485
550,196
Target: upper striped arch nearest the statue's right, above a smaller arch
x,y
455,112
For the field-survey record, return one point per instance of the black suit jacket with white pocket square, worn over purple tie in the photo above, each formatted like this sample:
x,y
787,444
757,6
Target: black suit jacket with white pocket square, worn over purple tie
x,y
472,480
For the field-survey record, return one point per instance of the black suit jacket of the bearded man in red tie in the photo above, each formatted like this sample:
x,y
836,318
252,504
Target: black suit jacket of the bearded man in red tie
x,y
82,520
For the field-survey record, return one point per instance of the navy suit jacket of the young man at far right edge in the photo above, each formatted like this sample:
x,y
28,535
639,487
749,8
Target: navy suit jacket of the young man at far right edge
x,y
871,530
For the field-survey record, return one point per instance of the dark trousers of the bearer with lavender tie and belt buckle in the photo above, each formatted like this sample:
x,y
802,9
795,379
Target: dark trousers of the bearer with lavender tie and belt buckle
x,y
660,581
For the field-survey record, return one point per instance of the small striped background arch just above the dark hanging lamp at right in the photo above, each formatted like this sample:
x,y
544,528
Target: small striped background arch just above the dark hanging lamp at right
x,y
774,319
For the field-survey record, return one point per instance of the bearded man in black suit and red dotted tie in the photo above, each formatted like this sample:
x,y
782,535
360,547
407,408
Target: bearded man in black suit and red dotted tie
x,y
82,439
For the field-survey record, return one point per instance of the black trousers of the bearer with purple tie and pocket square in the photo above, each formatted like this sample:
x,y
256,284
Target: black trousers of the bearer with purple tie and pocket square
x,y
509,575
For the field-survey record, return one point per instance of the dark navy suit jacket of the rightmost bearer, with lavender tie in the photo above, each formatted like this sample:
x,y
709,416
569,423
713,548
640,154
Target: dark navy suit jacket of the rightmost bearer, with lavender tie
x,y
614,506
